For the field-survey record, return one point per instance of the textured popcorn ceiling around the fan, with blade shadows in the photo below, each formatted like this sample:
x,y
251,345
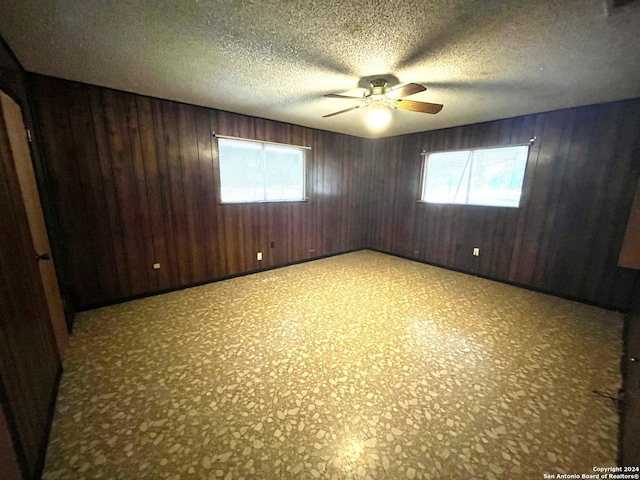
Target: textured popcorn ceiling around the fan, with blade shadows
x,y
482,59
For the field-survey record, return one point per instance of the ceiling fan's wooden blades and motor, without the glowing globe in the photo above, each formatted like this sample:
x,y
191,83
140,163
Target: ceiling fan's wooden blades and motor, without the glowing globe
x,y
380,95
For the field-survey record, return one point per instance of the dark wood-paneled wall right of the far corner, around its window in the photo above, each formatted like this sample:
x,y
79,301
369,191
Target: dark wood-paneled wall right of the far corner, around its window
x,y
565,237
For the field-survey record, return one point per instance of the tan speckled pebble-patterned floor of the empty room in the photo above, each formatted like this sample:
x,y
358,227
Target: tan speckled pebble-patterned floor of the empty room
x,y
357,366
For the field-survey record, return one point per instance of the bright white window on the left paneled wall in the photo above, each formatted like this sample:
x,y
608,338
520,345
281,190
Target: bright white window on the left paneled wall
x,y
253,171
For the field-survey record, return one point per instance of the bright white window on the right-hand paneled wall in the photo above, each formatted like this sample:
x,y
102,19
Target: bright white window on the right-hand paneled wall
x,y
489,176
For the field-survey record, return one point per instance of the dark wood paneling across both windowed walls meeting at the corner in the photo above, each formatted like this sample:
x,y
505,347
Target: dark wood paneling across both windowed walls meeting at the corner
x,y
135,182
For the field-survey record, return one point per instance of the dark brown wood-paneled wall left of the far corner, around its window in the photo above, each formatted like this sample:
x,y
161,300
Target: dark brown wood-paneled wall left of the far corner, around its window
x,y
135,180
